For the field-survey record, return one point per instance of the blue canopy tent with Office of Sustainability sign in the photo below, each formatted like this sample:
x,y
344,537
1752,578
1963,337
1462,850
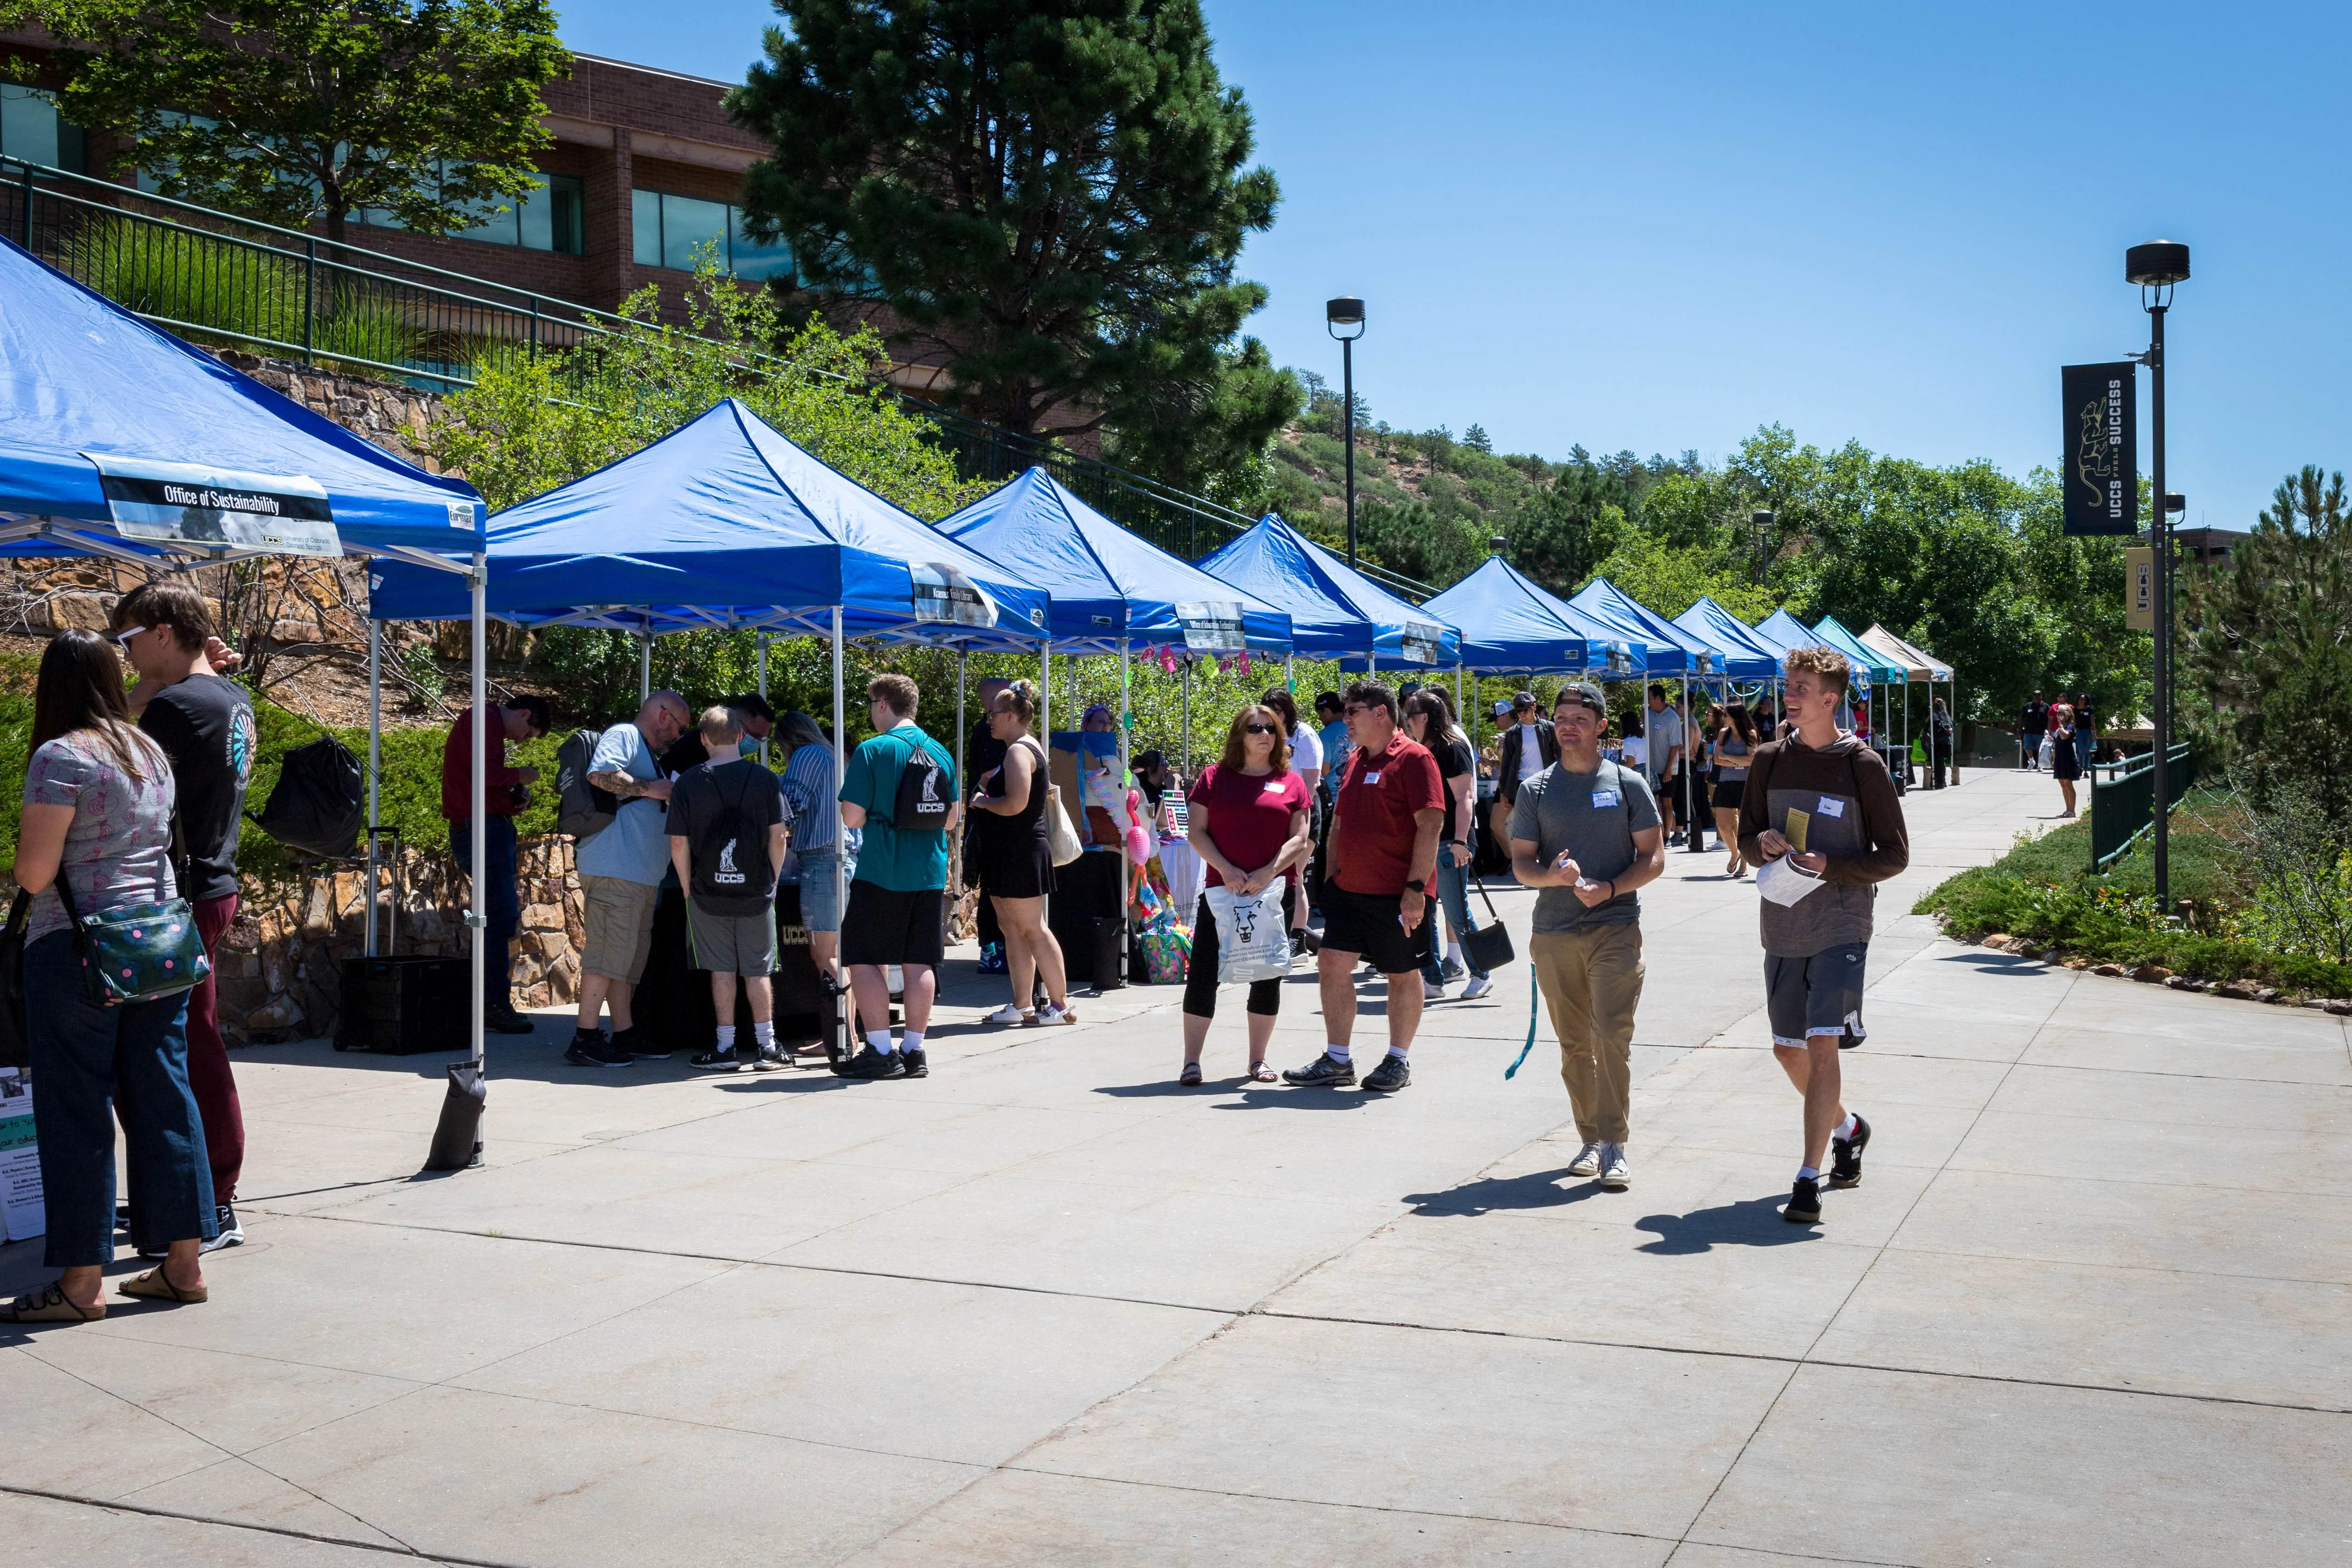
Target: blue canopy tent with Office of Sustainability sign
x,y
121,441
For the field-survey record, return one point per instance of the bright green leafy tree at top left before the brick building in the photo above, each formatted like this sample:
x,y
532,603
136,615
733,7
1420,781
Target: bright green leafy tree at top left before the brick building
x,y
305,109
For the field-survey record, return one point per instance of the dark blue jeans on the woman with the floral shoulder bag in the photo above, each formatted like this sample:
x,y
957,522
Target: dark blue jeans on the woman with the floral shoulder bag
x,y
86,1061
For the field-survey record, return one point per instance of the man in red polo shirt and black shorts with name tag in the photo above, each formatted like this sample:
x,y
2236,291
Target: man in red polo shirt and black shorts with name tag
x,y
1384,852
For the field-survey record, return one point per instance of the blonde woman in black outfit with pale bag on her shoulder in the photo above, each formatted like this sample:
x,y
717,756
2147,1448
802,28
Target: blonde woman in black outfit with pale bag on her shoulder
x,y
1015,864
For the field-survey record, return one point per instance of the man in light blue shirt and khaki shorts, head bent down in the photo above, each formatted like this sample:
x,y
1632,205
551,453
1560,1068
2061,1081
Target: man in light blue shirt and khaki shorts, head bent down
x,y
622,873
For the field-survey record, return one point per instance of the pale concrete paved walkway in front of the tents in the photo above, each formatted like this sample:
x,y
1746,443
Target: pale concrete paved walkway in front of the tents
x,y
2092,1304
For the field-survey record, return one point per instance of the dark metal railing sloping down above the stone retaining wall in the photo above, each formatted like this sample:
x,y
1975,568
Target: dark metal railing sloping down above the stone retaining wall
x,y
234,281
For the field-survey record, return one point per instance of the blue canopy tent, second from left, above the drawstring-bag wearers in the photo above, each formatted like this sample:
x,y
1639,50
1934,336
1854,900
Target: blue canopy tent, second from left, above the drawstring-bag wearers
x,y
730,525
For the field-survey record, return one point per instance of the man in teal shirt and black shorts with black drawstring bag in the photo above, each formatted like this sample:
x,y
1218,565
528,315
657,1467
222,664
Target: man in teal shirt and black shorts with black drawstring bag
x,y
902,791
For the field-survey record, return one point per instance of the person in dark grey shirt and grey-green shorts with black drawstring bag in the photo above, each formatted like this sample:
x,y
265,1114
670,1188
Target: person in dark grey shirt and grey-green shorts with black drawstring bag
x,y
728,840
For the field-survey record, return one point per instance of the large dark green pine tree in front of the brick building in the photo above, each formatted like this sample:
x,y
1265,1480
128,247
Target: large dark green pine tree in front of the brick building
x,y
1053,194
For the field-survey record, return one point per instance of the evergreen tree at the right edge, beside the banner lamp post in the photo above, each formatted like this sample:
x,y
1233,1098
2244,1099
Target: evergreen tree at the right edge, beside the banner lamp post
x,y
2273,648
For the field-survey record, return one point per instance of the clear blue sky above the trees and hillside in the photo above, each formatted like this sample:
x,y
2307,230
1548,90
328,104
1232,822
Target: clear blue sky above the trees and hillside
x,y
1662,227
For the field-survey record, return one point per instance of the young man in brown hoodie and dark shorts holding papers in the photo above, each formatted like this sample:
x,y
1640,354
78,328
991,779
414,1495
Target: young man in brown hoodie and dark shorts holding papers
x,y
1826,803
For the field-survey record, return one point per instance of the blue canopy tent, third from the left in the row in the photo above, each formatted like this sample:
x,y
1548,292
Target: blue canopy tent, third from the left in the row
x,y
1111,589
